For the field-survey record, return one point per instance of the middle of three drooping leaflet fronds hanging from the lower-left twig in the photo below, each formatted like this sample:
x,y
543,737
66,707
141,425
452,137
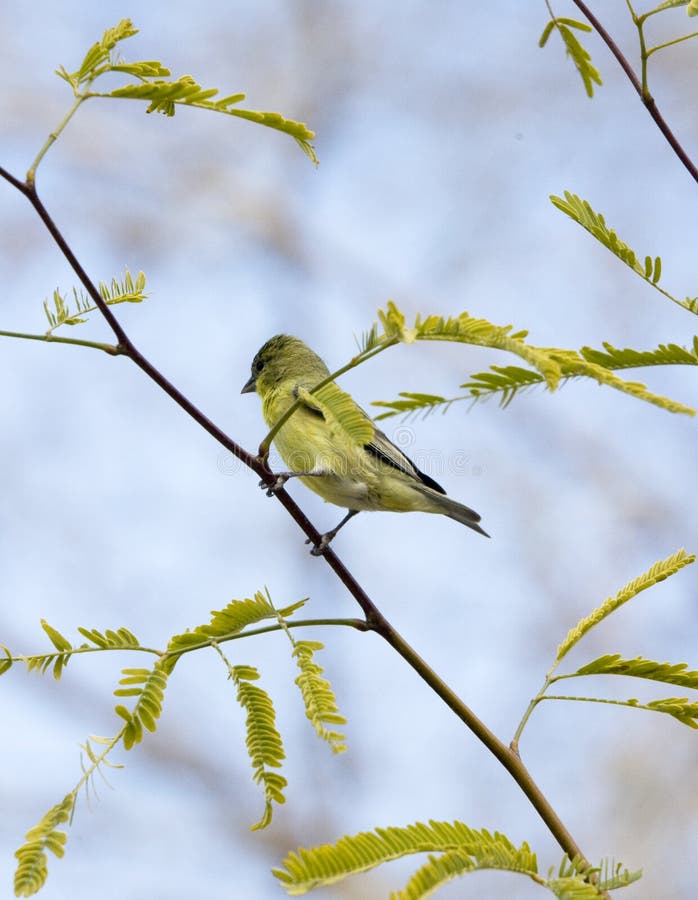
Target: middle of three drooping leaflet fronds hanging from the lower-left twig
x,y
263,741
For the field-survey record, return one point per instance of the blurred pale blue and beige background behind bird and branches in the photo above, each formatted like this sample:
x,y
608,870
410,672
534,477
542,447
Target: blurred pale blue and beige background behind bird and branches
x,y
441,131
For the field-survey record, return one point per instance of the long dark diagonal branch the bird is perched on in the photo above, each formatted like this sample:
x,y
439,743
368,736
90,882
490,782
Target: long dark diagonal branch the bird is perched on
x,y
375,621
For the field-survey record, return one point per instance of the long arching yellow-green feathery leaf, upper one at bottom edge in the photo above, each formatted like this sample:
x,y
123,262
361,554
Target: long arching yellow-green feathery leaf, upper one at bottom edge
x,y
329,863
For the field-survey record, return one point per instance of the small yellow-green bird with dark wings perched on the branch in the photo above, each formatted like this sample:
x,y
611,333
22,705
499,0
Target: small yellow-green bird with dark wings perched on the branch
x,y
367,472
